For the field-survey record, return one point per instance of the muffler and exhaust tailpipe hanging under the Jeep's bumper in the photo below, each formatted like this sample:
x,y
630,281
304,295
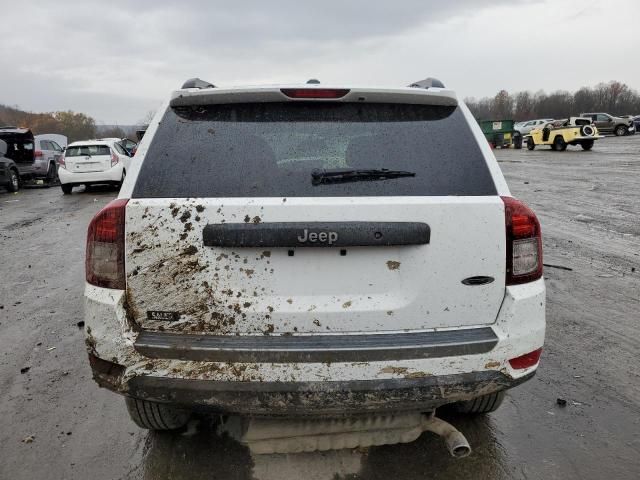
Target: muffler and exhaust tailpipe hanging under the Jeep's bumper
x,y
272,435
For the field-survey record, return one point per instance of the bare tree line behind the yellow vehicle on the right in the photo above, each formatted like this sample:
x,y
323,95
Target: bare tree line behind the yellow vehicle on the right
x,y
613,97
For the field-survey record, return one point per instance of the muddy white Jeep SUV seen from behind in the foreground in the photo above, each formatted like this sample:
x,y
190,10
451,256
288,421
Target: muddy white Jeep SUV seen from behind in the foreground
x,y
313,251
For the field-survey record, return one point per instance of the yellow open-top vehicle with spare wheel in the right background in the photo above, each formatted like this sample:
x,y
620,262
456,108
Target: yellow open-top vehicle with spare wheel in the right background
x,y
561,133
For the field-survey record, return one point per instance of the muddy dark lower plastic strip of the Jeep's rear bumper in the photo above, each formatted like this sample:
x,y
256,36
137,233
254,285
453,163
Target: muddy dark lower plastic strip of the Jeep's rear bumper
x,y
321,398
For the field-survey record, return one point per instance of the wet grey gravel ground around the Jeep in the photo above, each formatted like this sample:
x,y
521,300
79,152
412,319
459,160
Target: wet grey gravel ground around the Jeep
x,y
56,423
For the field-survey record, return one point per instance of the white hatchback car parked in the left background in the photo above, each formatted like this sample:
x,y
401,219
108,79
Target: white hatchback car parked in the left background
x,y
93,162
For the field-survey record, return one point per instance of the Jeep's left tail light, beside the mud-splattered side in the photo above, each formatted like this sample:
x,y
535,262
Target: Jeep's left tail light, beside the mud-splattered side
x,y
104,263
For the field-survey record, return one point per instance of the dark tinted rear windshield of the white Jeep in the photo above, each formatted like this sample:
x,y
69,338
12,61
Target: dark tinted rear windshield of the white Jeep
x,y
272,149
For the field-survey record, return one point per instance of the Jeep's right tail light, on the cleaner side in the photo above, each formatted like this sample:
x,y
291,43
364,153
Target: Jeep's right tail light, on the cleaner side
x,y
524,243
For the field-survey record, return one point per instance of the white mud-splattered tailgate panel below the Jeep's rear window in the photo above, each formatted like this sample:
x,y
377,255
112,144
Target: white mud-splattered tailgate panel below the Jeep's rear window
x,y
177,283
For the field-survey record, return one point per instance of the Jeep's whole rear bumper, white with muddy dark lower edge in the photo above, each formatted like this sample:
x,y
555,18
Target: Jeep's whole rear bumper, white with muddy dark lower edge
x,y
284,376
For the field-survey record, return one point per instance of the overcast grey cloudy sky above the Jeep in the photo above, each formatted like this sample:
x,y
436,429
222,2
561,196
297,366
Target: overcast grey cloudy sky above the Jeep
x,y
117,60
